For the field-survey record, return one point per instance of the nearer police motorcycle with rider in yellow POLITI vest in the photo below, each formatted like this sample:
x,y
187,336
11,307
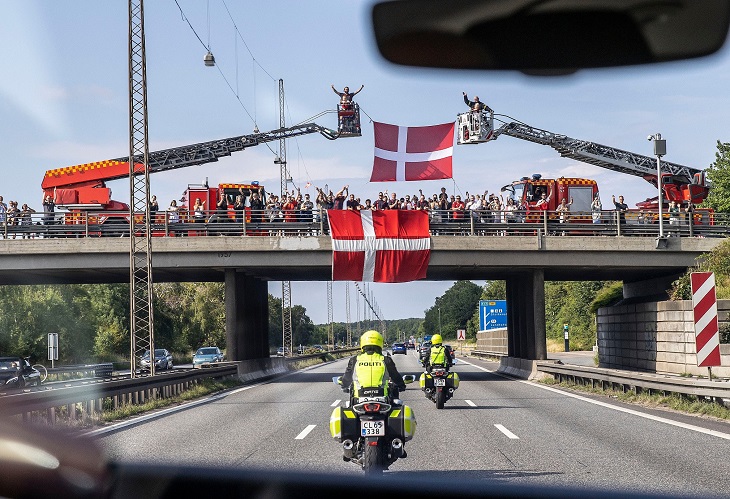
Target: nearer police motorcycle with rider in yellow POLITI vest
x,y
374,424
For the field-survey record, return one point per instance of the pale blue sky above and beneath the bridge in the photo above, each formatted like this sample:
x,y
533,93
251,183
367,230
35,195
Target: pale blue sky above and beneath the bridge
x,y
64,101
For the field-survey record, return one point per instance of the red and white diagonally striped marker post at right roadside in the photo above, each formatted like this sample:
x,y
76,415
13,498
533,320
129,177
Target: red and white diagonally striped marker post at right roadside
x,y
707,331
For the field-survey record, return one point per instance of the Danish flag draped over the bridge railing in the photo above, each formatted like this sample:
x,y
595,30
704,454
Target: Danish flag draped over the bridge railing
x,y
379,246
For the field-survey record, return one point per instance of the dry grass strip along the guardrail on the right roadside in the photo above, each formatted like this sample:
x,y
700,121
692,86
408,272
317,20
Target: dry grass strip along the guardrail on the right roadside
x,y
689,404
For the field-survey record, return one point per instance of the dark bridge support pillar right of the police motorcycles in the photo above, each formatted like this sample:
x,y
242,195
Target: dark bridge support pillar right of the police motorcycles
x,y
526,335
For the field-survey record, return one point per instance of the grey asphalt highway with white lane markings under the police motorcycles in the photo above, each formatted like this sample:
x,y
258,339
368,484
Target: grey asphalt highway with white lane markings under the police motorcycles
x,y
495,428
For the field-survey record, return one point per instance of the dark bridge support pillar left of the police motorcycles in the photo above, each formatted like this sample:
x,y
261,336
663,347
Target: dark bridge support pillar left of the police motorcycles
x,y
247,316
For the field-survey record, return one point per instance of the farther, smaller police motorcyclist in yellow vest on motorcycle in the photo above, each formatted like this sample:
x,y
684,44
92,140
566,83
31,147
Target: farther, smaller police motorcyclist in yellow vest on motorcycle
x,y
437,382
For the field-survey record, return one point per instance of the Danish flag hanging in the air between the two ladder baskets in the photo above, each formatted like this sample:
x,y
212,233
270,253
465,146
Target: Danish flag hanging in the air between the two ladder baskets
x,y
412,153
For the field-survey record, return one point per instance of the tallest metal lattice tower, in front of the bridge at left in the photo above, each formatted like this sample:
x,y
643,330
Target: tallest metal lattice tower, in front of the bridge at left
x,y
140,252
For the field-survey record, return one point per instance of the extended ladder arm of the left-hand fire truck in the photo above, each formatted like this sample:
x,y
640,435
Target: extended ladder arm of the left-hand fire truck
x,y
171,159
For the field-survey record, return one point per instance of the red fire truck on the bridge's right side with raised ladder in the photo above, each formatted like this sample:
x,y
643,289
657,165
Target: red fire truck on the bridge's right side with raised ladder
x,y
681,184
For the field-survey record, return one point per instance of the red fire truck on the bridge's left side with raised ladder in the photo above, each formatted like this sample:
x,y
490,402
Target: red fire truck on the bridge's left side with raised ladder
x,y
82,190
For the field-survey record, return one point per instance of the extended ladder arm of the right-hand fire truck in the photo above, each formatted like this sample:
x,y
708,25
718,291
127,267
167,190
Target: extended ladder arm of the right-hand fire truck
x,y
599,155
